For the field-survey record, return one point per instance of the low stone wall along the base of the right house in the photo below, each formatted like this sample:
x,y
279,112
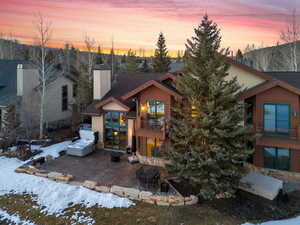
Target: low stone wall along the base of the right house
x,y
286,176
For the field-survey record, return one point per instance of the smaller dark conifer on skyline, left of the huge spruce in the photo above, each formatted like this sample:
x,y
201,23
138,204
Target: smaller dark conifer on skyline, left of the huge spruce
x,y
161,61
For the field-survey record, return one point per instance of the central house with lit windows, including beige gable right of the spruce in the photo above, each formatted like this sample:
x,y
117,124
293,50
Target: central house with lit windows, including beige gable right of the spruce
x,y
134,110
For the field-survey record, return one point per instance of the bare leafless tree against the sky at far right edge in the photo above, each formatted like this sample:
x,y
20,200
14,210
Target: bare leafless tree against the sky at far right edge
x,y
290,36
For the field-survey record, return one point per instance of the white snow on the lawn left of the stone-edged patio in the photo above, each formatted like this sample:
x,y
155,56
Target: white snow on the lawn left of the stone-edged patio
x,y
55,197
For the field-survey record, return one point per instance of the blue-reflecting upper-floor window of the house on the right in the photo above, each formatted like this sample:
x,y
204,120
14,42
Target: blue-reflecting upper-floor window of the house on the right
x,y
276,118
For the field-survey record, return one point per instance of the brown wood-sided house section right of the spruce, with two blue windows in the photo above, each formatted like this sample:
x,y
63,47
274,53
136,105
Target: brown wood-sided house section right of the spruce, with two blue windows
x,y
273,112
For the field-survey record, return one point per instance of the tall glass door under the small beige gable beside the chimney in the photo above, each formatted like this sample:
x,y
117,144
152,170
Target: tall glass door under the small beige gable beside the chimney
x,y
115,131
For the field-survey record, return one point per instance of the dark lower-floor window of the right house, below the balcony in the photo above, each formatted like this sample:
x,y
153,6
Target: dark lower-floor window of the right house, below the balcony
x,y
277,158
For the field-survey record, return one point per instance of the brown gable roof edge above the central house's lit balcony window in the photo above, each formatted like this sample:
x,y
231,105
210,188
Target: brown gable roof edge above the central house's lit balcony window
x,y
148,84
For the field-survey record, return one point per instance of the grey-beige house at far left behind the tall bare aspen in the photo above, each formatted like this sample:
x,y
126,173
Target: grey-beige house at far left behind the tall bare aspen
x,y
20,86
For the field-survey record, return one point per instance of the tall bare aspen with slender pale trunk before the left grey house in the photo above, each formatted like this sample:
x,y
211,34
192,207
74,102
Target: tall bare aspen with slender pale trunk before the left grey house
x,y
44,32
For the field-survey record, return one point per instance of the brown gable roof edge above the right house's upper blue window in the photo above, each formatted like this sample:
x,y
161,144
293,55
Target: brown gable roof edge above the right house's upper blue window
x,y
268,85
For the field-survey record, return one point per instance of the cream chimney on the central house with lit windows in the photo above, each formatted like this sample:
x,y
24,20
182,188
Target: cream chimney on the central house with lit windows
x,y
101,81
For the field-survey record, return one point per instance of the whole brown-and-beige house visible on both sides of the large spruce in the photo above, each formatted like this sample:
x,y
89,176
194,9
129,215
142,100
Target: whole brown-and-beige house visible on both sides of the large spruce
x,y
134,110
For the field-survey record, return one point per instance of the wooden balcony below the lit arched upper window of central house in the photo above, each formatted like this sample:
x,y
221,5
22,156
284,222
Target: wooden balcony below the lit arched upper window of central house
x,y
154,128
